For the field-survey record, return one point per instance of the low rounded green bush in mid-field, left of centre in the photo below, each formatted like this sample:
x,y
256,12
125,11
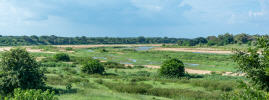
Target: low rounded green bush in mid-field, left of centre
x,y
93,67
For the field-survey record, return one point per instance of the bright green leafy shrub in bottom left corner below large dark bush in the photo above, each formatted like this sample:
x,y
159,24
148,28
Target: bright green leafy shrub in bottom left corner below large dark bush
x,y
32,94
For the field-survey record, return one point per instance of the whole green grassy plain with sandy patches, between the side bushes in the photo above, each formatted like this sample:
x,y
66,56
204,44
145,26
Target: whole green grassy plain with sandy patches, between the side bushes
x,y
207,79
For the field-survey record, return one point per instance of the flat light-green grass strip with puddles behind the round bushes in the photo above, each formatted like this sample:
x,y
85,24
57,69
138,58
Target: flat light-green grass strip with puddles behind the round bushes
x,y
211,62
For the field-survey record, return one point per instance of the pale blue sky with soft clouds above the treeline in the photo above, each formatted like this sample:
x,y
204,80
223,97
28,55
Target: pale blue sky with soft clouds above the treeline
x,y
132,18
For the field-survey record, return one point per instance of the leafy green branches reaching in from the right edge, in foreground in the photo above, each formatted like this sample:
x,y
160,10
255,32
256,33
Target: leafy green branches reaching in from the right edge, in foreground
x,y
254,63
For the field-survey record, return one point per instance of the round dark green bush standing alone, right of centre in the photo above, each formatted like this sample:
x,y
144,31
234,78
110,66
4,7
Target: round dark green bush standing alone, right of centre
x,y
172,68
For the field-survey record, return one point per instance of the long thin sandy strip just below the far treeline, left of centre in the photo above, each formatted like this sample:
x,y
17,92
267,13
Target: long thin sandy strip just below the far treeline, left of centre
x,y
106,45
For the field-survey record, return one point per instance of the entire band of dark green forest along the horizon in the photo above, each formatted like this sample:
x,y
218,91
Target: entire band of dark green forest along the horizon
x,y
55,40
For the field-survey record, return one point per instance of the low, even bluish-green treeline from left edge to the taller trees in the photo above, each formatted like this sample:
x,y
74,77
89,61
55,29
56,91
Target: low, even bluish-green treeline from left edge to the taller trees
x,y
55,40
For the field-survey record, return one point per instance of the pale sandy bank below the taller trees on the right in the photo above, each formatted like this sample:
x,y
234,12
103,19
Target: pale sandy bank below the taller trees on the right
x,y
196,50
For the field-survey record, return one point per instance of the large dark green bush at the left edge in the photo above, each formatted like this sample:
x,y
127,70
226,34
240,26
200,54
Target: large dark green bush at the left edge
x,y
20,70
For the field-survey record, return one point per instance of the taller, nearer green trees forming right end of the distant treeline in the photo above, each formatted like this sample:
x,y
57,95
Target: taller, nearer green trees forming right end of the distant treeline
x,y
223,39
